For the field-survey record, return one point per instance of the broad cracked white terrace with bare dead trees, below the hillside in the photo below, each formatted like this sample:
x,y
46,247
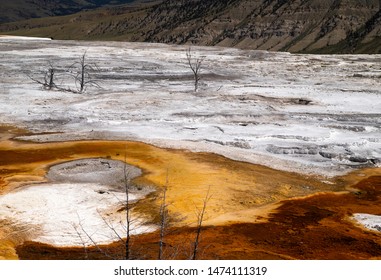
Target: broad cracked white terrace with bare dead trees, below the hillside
x,y
305,113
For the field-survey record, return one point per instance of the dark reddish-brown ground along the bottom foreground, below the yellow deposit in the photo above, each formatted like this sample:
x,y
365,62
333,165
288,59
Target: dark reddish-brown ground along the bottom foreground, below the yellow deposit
x,y
317,227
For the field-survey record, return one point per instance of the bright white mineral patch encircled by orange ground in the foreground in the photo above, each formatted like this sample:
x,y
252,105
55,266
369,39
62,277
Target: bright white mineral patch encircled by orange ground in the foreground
x,y
68,214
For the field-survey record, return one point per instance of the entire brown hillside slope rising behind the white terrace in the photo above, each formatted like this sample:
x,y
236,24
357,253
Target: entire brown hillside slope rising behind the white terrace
x,y
329,26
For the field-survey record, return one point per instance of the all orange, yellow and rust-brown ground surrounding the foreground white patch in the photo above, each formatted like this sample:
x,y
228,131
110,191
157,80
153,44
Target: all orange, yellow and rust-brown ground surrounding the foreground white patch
x,y
254,211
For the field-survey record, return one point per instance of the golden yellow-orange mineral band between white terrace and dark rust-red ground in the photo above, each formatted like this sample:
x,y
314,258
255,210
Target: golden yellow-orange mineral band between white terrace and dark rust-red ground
x,y
240,192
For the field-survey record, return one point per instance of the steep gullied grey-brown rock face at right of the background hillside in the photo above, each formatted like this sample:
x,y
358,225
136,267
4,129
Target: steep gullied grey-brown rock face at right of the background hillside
x,y
297,26
